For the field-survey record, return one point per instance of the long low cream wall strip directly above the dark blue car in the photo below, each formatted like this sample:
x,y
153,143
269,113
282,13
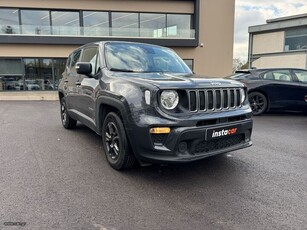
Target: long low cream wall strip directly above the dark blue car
x,y
282,61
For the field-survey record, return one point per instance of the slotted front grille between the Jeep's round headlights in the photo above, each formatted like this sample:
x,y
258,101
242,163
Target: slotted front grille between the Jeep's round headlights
x,y
214,99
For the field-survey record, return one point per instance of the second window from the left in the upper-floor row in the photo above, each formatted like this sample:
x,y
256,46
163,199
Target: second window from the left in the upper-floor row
x,y
35,21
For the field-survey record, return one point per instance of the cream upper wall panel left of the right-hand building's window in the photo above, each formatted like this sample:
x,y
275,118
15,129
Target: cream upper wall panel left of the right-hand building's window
x,y
268,42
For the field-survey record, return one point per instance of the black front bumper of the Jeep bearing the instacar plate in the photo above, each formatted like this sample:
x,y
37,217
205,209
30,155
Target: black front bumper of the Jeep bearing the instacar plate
x,y
190,143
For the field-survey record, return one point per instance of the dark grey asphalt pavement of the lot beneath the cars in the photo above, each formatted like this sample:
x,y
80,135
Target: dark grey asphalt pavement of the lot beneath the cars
x,y
52,178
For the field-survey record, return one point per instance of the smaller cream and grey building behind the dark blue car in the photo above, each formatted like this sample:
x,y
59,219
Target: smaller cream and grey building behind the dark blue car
x,y
282,42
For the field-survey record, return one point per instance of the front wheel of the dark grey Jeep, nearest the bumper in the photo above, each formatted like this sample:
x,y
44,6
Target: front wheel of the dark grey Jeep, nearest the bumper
x,y
115,143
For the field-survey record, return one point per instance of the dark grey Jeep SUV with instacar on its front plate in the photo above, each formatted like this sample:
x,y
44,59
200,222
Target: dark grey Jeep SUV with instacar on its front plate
x,y
148,106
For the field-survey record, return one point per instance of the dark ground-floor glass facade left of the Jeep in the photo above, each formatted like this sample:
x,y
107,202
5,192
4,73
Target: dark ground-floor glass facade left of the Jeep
x,y
31,73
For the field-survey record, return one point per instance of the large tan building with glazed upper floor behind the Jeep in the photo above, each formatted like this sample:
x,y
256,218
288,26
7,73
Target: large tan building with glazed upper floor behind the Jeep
x,y
36,36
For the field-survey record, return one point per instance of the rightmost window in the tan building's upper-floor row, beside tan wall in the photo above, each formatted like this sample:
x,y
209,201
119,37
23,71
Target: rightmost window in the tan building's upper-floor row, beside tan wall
x,y
179,25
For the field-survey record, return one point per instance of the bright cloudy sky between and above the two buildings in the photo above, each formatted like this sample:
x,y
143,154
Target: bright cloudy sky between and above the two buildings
x,y
256,12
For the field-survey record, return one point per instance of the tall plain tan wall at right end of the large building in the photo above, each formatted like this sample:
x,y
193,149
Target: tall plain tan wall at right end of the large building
x,y
217,35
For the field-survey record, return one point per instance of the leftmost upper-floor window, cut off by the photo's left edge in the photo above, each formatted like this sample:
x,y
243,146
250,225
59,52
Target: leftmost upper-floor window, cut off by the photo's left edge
x,y
9,21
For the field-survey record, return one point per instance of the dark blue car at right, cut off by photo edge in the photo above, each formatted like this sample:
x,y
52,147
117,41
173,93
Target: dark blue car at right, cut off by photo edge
x,y
278,88
